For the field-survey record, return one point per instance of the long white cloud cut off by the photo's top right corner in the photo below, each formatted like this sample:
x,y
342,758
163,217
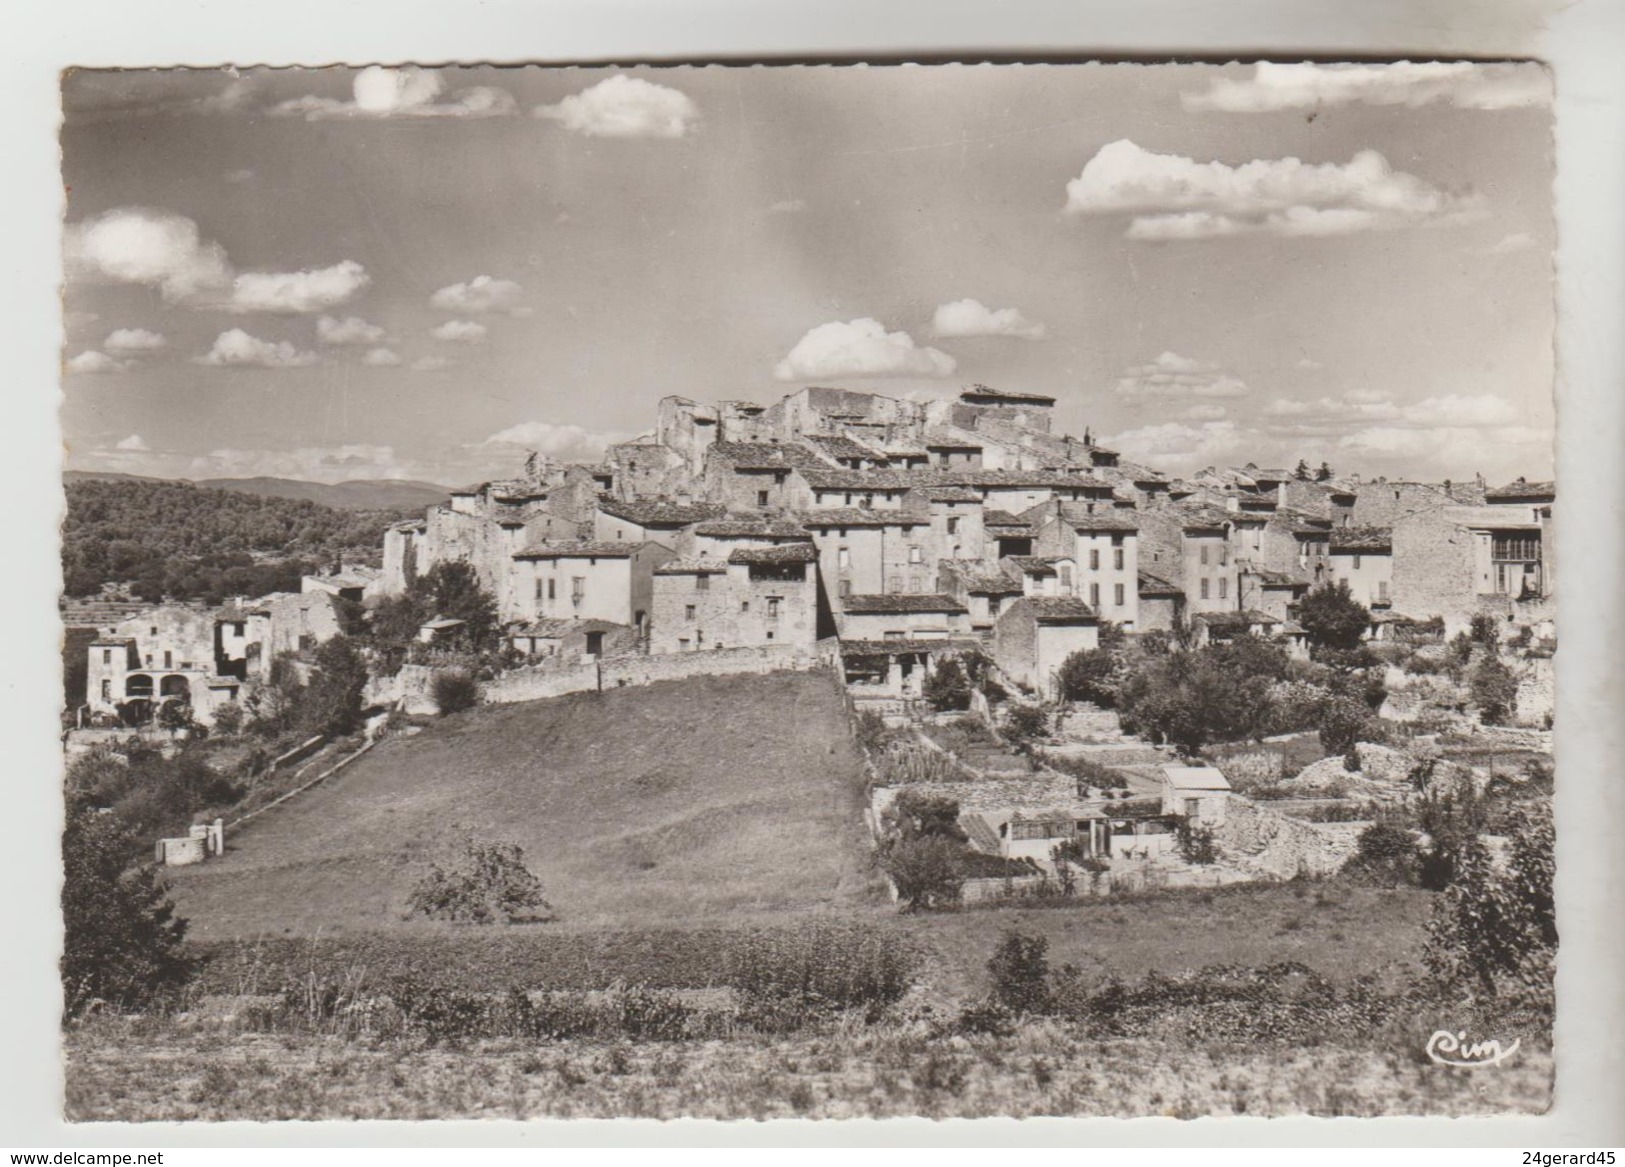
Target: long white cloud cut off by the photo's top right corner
x,y
1276,87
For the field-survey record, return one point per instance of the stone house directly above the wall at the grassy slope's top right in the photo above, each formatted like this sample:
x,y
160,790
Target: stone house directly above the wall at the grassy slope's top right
x,y
755,597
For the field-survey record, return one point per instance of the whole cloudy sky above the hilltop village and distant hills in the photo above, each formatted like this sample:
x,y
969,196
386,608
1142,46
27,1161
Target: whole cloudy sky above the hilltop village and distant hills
x,y
397,274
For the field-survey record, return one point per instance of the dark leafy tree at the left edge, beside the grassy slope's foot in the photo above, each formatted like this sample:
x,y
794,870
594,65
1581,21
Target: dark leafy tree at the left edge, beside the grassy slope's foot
x,y
121,935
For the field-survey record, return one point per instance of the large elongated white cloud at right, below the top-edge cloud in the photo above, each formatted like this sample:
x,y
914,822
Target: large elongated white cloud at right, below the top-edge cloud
x,y
1176,197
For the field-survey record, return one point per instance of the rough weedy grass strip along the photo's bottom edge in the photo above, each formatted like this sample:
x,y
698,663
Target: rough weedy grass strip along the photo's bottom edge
x,y
1044,1069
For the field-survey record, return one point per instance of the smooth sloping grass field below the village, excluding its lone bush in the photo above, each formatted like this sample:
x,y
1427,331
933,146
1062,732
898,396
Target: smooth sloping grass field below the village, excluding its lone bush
x,y
706,802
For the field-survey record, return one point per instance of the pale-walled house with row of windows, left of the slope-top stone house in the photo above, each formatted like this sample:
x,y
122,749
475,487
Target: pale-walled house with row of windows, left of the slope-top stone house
x,y
589,579
